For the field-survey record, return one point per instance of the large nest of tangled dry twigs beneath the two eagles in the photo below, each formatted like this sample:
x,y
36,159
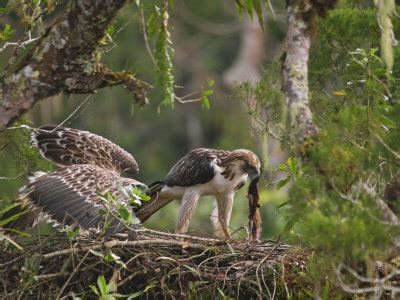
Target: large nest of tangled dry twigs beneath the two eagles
x,y
152,264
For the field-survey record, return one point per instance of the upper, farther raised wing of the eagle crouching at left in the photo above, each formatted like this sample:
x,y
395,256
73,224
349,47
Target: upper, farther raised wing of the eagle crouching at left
x,y
66,146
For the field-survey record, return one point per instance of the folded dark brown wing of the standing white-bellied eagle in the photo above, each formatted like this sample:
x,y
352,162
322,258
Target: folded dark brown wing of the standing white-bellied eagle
x,y
196,167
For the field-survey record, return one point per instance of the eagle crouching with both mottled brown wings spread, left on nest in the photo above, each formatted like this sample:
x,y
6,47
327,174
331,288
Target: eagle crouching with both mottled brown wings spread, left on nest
x,y
90,167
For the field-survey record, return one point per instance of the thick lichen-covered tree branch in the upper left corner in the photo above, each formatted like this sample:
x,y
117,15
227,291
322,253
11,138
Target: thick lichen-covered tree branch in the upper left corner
x,y
65,60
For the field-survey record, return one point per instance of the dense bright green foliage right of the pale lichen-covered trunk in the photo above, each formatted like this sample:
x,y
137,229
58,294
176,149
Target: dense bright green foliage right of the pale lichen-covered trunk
x,y
337,200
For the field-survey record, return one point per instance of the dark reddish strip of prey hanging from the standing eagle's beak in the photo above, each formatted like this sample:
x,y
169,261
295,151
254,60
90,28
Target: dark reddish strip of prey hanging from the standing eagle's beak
x,y
254,212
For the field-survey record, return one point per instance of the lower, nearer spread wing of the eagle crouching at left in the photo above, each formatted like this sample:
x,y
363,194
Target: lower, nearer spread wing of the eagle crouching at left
x,y
71,196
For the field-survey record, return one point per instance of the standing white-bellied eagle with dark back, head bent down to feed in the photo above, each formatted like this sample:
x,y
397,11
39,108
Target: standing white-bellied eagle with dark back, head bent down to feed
x,y
199,173
